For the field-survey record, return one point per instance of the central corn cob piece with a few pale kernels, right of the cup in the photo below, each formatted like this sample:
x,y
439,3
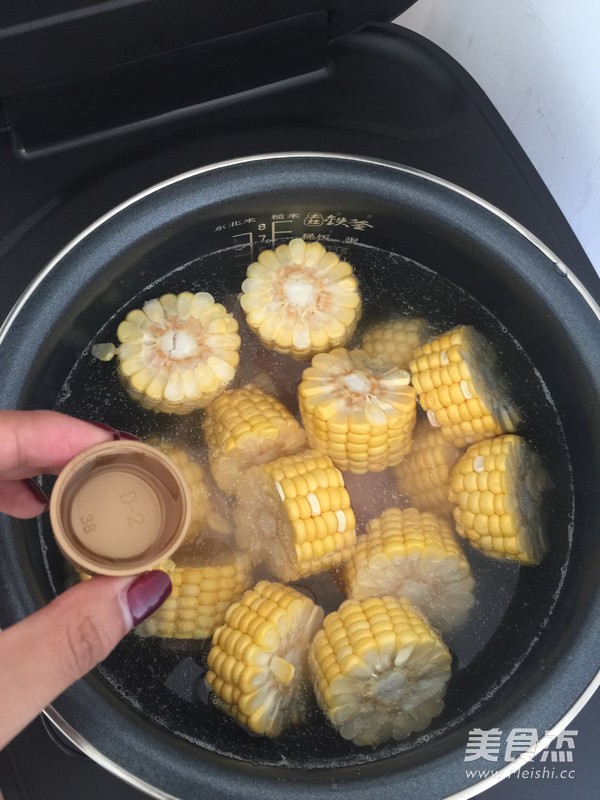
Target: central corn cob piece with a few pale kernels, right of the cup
x,y
294,516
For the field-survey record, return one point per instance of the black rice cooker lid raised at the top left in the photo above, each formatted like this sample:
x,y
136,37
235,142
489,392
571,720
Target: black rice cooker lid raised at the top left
x,y
73,69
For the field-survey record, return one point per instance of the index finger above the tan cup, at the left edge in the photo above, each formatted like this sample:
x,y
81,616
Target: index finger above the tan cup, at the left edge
x,y
34,442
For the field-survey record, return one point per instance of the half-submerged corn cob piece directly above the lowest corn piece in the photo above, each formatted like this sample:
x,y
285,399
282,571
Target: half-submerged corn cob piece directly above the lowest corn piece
x,y
414,555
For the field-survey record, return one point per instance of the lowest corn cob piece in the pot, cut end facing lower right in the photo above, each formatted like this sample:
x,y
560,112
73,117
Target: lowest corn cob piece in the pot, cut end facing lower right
x,y
379,670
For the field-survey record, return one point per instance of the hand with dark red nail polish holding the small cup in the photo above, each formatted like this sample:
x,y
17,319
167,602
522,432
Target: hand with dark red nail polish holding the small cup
x,y
42,655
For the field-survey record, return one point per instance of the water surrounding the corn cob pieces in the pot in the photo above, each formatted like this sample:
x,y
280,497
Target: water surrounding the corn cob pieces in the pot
x,y
163,679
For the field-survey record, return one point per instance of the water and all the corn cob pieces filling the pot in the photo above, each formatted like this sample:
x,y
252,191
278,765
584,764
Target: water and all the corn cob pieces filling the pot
x,y
398,508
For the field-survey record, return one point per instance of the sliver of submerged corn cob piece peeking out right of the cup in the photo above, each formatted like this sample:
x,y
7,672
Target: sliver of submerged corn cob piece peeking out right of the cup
x,y
203,517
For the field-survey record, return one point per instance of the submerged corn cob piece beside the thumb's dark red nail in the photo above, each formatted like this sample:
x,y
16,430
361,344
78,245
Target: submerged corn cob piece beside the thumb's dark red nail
x,y
205,583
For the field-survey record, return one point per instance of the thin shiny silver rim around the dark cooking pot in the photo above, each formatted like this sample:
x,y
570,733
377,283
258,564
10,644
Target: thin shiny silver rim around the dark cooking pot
x,y
56,718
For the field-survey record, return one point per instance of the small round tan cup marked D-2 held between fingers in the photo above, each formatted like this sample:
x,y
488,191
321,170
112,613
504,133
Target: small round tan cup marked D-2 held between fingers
x,y
119,508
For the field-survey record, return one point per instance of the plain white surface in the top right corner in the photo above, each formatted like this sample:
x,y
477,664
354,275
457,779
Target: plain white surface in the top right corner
x,y
539,63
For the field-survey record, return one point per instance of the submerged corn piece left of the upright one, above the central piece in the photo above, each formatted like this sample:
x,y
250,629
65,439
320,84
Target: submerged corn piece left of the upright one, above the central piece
x,y
247,427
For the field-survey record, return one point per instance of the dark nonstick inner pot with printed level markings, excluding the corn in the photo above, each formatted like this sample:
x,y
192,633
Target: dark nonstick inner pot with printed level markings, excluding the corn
x,y
531,648
